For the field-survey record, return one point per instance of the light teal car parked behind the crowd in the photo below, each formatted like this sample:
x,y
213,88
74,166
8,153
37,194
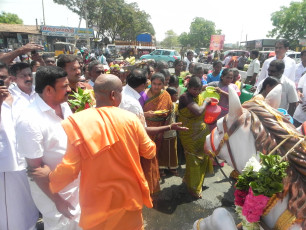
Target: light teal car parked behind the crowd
x,y
168,56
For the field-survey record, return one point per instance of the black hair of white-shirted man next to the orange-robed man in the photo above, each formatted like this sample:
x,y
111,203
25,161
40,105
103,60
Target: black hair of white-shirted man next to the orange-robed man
x,y
47,75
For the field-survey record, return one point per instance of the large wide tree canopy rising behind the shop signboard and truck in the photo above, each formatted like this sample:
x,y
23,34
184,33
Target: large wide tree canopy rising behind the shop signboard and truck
x,y
112,18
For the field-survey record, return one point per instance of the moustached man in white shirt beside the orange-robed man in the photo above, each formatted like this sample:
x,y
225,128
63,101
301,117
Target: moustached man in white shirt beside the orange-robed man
x,y
41,139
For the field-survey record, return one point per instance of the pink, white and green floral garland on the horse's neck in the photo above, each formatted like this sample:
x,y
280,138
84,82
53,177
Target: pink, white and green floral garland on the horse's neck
x,y
256,185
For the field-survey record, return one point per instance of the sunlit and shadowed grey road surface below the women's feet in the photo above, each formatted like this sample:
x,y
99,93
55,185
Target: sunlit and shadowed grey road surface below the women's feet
x,y
176,209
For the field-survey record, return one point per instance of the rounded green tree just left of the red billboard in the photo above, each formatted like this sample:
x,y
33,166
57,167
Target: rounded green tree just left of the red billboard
x,y
199,34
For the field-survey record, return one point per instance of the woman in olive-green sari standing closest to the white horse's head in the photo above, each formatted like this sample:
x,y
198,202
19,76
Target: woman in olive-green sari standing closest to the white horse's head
x,y
191,114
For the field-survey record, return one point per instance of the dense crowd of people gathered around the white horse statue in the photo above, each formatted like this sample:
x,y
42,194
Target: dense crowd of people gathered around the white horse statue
x,y
95,169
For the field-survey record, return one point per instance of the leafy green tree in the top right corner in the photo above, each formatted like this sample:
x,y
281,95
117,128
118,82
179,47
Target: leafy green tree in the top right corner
x,y
289,22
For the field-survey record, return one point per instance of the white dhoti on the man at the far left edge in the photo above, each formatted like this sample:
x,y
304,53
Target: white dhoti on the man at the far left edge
x,y
17,209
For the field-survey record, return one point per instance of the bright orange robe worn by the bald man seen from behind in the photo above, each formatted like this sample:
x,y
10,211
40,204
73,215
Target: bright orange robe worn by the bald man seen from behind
x,y
105,145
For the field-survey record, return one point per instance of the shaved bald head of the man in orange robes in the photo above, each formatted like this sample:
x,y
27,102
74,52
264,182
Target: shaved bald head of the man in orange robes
x,y
108,90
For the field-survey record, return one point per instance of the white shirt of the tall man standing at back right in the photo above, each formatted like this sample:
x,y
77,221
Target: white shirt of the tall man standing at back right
x,y
289,71
